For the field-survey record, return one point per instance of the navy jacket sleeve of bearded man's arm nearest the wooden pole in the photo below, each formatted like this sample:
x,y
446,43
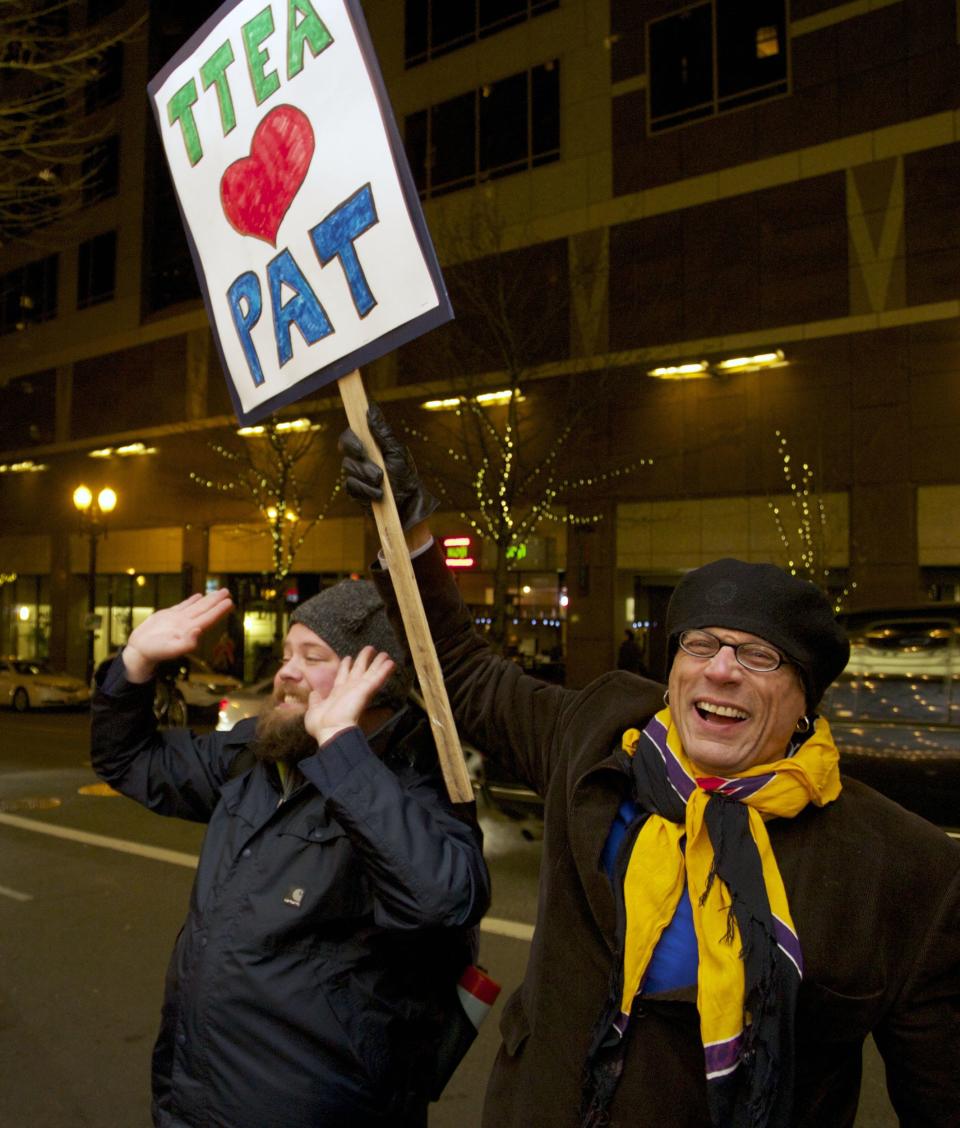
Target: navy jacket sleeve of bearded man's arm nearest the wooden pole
x,y
425,861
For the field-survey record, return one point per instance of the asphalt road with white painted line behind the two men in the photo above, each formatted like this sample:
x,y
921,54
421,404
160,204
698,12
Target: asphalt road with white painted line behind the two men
x,y
93,891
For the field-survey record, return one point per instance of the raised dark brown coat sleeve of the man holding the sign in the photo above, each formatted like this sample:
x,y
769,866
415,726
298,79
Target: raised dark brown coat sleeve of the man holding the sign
x,y
513,718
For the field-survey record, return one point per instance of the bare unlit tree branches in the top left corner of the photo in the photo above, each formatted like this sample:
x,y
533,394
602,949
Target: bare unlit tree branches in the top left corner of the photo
x,y
50,61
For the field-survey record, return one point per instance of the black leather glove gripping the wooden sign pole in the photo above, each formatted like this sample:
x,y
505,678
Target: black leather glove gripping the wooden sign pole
x,y
364,480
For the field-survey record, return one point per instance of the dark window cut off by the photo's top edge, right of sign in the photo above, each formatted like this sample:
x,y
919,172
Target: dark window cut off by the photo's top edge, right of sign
x,y
437,28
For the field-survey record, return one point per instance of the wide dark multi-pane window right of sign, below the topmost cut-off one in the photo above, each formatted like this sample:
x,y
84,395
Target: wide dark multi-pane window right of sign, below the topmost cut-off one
x,y
506,127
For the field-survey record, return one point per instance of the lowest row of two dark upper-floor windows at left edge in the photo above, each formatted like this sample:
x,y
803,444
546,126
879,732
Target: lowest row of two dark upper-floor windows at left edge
x,y
29,294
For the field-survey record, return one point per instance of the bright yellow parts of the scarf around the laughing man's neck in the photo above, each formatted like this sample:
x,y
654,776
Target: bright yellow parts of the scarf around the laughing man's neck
x,y
658,868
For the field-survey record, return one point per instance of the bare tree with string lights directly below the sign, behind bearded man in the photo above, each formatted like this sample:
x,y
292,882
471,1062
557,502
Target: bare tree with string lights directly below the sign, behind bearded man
x,y
275,466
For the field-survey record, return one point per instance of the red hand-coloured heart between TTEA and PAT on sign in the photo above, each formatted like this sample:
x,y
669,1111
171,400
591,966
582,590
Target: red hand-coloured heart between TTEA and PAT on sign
x,y
257,192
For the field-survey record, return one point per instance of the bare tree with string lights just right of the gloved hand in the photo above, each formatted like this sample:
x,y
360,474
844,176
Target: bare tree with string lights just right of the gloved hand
x,y
490,456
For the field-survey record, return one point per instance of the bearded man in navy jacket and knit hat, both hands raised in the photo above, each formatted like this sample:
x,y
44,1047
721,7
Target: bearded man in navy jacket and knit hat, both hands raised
x,y
338,888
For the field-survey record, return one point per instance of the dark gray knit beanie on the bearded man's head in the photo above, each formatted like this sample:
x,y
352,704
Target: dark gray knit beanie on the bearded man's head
x,y
350,616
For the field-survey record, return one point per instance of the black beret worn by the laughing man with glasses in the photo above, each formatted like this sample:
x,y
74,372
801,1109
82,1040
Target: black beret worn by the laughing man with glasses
x,y
762,600
